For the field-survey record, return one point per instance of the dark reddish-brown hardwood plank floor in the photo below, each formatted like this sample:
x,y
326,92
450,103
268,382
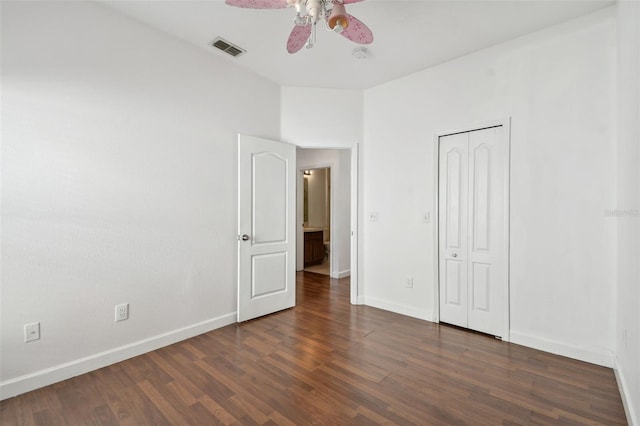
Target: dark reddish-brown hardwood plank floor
x,y
327,362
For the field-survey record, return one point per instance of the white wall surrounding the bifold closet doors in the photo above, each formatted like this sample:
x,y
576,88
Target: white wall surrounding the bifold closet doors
x,y
558,86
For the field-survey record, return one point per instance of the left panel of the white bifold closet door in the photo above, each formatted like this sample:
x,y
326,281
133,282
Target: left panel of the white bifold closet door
x,y
453,194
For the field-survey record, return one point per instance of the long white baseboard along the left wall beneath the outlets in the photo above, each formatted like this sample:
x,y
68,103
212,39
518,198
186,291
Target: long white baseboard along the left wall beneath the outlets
x,y
58,373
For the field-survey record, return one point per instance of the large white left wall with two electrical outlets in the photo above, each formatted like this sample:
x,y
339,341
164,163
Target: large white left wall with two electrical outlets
x,y
118,173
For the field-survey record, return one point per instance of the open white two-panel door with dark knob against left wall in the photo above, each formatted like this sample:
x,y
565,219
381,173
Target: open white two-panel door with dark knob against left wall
x,y
266,226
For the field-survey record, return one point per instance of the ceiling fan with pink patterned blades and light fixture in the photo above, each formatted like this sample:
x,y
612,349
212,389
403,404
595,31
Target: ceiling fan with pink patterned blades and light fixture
x,y
308,13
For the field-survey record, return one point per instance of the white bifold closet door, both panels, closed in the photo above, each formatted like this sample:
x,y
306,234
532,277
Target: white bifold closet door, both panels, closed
x,y
472,244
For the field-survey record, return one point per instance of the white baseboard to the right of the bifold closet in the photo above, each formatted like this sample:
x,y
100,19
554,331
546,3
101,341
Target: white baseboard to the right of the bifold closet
x,y
602,357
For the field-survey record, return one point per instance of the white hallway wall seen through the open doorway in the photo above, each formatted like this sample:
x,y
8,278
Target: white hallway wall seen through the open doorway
x,y
340,162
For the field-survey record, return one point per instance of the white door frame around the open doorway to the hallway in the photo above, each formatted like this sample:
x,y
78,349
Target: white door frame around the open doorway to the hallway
x,y
353,148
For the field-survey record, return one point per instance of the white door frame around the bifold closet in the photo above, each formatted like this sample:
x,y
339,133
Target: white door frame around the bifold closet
x,y
505,123
